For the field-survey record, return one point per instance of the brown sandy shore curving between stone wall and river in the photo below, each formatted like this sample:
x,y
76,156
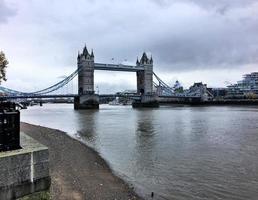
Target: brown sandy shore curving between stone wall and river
x,y
77,171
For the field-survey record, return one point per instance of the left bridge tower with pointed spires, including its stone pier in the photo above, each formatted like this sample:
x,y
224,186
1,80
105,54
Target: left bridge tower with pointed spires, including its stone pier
x,y
87,98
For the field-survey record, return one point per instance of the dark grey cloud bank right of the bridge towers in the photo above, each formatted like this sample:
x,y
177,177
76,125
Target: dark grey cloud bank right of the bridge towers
x,y
230,47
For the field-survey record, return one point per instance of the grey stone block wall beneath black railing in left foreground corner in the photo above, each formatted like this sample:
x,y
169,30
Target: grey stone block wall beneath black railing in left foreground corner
x,y
24,171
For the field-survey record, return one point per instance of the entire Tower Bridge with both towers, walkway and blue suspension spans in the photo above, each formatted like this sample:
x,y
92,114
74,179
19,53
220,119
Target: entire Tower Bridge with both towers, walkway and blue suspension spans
x,y
148,91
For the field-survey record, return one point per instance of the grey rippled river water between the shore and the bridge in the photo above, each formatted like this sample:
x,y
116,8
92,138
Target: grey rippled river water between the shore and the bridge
x,y
177,152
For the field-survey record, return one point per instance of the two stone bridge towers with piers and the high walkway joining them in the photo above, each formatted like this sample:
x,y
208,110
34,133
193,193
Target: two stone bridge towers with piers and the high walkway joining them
x,y
87,97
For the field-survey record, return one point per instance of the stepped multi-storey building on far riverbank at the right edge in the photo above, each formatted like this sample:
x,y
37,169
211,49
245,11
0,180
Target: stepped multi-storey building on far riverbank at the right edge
x,y
246,88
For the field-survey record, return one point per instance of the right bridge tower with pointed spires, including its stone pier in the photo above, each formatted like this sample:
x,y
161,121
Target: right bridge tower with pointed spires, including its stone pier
x,y
145,83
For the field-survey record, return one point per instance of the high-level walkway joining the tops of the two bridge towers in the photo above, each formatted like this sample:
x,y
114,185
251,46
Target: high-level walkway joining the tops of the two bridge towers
x,y
117,67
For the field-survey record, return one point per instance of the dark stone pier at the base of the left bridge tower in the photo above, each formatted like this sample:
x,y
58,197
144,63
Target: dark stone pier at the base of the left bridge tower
x,y
85,102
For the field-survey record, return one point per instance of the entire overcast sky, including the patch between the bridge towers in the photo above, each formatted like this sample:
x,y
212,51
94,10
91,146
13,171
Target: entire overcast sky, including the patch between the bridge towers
x,y
214,41
